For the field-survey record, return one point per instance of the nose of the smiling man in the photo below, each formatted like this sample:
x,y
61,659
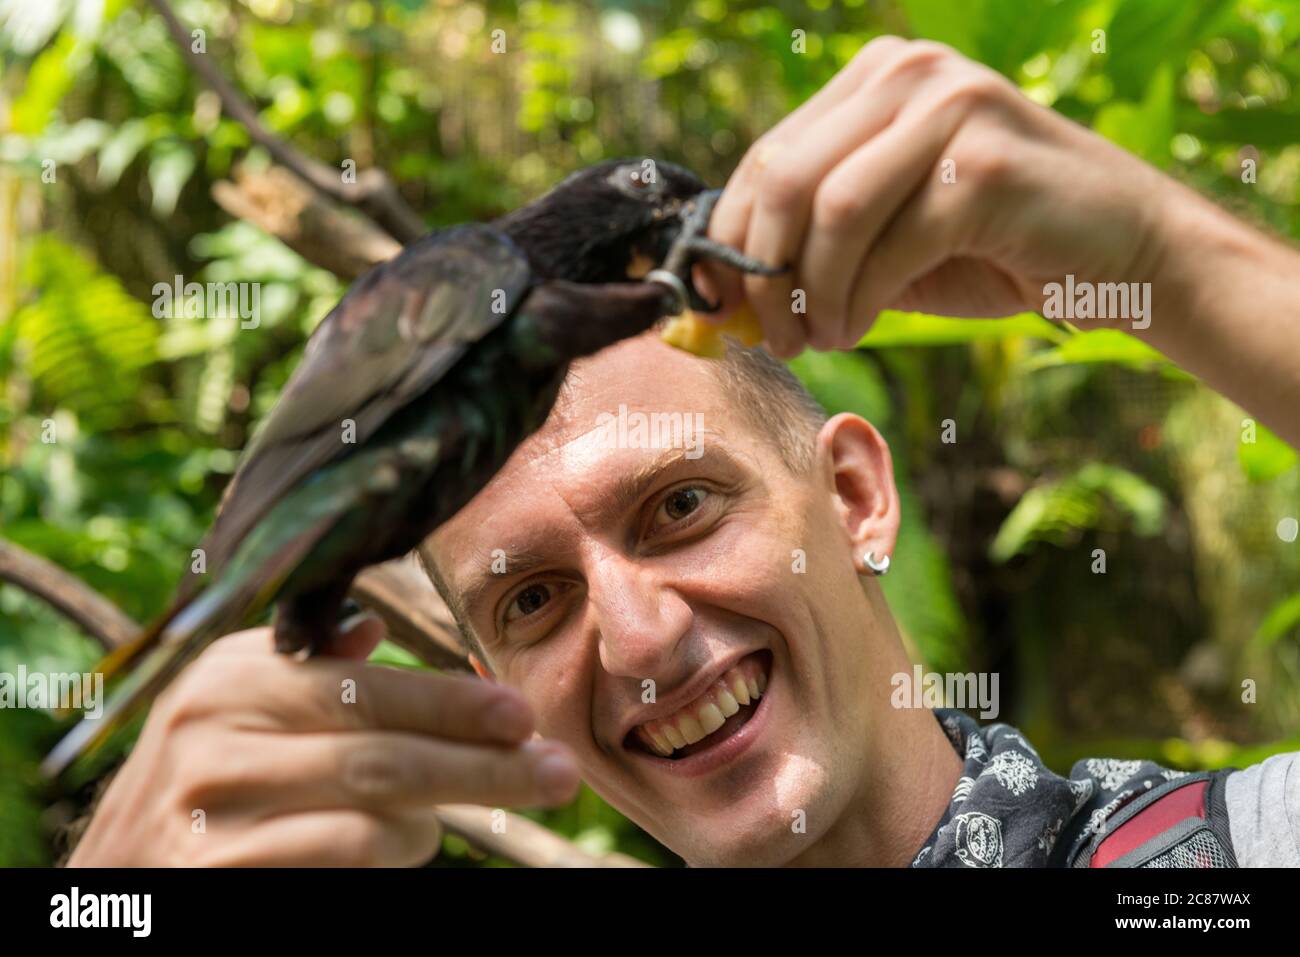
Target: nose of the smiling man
x,y
642,618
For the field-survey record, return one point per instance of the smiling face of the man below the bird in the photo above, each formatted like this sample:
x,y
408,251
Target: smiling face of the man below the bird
x,y
627,591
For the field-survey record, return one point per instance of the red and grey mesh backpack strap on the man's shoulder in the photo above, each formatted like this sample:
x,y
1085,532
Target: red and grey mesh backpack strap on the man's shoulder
x,y
1181,824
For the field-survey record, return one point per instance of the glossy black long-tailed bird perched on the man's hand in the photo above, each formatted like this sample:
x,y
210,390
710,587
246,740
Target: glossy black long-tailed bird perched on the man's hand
x,y
410,396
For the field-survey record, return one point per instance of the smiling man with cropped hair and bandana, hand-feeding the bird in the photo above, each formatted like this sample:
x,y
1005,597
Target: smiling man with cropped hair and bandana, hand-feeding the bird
x,y
626,600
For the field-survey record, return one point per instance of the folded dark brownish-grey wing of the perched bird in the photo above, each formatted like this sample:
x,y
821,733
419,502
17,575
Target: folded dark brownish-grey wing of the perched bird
x,y
388,341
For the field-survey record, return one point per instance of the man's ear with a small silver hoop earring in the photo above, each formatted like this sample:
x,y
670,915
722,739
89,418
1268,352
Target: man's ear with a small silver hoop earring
x,y
860,465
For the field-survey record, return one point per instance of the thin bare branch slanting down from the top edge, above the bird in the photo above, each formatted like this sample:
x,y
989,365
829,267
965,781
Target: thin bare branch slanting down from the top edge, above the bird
x,y
372,193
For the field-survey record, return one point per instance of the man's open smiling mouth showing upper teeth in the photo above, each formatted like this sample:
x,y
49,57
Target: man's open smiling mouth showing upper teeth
x,y
716,716
